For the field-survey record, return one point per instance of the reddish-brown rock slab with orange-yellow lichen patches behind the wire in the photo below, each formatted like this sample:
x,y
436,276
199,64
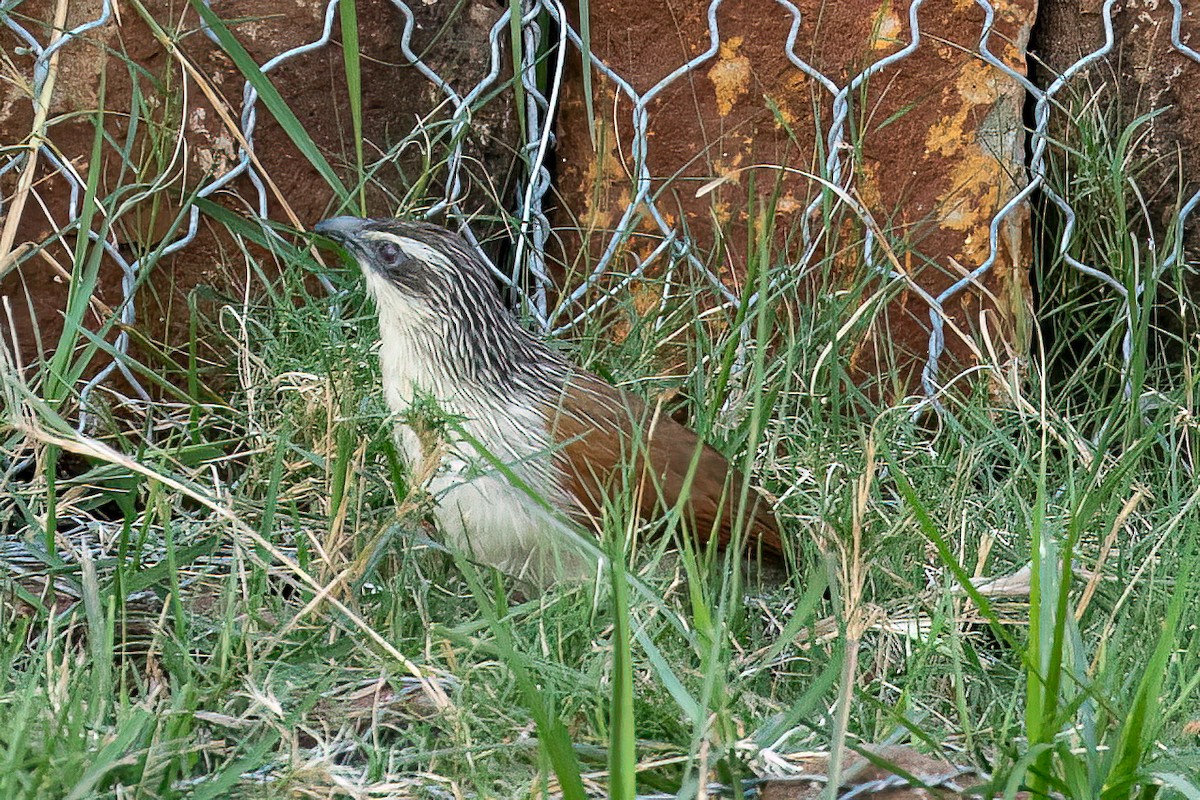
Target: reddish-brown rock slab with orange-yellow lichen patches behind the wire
x,y
934,146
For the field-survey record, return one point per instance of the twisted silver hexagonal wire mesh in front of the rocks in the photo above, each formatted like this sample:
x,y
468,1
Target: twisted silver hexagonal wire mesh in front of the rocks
x,y
530,276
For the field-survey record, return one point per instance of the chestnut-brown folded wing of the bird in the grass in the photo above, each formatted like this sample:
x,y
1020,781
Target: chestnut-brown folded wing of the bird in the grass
x,y
601,431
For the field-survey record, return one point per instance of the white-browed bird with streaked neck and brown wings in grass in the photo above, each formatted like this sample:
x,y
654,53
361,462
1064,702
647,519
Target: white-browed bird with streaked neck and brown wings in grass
x,y
525,448
